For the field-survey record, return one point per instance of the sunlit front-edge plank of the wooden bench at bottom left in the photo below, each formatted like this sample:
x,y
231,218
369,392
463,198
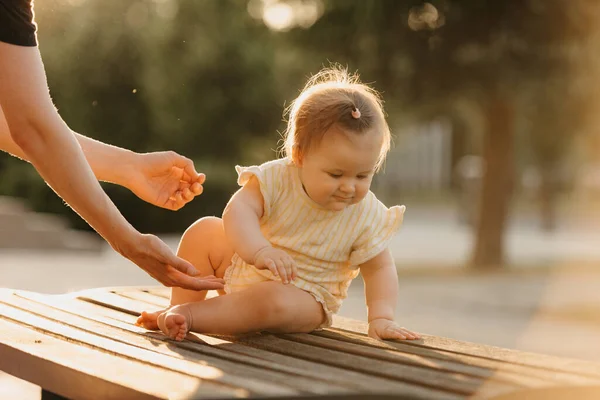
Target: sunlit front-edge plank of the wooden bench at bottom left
x,y
85,373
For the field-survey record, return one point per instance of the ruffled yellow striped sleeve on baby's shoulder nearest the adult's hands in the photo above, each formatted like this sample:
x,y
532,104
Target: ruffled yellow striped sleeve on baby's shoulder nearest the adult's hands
x,y
268,179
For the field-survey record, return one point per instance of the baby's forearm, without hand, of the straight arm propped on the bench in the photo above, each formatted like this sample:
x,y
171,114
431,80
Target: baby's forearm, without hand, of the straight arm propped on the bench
x,y
381,292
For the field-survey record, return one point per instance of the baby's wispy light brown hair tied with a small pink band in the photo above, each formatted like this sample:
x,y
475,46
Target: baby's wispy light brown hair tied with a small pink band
x,y
334,97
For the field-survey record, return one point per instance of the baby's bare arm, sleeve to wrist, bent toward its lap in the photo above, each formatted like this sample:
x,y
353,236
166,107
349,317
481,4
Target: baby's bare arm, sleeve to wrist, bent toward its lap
x,y
243,230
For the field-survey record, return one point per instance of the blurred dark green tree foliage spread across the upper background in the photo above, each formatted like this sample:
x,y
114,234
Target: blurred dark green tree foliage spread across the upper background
x,y
208,80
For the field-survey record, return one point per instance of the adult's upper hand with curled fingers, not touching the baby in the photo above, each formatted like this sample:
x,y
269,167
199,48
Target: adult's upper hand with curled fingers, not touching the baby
x,y
165,179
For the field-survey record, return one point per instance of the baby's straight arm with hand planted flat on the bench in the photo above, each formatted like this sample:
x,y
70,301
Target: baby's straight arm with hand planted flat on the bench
x,y
381,292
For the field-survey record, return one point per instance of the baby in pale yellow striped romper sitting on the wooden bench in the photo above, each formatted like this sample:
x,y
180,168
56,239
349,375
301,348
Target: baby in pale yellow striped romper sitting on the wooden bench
x,y
300,228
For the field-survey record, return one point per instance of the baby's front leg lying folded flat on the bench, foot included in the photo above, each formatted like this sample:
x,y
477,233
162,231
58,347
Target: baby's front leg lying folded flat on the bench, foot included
x,y
266,306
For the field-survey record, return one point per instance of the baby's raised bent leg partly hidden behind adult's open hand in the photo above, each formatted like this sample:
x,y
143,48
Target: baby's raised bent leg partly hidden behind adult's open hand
x,y
204,245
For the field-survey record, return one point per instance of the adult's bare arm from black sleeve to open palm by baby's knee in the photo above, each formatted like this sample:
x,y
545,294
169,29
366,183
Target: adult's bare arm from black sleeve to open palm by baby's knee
x,y
48,143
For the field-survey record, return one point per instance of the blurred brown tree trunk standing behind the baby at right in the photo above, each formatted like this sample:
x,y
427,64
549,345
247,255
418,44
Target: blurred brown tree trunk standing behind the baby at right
x,y
496,185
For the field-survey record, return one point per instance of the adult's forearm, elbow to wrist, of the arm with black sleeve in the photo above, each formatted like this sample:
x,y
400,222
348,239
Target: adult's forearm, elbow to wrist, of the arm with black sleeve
x,y
68,173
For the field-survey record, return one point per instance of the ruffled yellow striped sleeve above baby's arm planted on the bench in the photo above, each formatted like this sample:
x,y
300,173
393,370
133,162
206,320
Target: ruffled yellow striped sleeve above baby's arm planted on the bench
x,y
383,223
